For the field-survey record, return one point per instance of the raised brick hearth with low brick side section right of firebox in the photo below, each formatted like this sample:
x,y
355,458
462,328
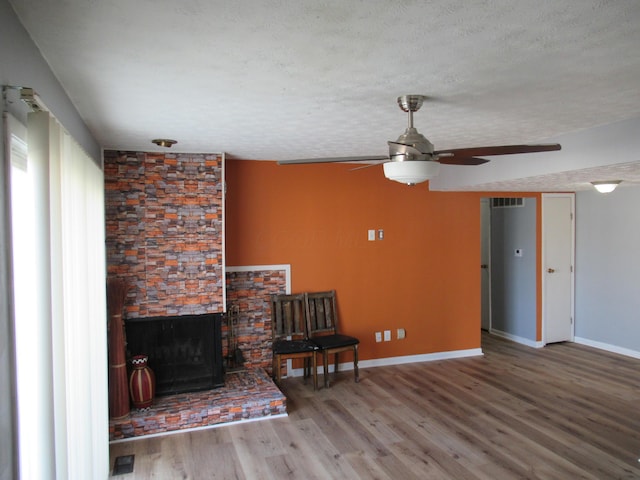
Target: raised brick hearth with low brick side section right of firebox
x,y
247,394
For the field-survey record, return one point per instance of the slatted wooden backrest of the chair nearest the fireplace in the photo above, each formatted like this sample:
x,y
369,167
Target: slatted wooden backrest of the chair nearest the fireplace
x,y
288,316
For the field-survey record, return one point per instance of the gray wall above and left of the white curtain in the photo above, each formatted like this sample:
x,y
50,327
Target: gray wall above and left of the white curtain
x,y
21,64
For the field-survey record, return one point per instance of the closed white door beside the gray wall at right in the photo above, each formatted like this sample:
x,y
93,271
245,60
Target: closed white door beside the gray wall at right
x,y
557,267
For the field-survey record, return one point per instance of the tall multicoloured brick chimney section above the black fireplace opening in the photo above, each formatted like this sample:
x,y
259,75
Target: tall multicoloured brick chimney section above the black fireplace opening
x,y
164,231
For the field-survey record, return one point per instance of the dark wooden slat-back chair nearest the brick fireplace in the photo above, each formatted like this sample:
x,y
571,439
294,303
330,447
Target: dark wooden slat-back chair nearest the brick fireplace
x,y
290,338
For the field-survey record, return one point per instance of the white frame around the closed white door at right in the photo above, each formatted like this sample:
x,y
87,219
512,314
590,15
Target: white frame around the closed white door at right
x,y
544,198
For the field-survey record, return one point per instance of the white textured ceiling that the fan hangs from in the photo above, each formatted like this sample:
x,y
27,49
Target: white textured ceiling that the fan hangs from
x,y
316,78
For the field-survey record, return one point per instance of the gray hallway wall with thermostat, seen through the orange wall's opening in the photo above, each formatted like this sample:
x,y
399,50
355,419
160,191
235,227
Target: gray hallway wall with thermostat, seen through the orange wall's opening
x,y
513,279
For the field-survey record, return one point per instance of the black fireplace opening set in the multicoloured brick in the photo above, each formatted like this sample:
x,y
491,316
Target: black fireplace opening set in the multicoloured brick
x,y
185,352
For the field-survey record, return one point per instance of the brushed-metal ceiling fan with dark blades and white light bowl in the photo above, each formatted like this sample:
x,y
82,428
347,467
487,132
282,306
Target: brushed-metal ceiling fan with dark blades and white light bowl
x,y
412,158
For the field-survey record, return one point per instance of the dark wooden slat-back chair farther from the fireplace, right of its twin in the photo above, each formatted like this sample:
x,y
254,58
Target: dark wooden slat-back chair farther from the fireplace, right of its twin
x,y
323,331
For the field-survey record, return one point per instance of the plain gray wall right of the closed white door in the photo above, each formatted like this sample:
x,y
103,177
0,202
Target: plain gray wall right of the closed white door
x,y
608,267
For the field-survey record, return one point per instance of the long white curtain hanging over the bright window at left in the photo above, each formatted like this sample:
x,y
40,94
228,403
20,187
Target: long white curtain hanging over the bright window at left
x,y
60,307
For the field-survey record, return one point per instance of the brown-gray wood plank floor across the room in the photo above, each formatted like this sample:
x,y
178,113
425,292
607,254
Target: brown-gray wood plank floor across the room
x,y
565,411
